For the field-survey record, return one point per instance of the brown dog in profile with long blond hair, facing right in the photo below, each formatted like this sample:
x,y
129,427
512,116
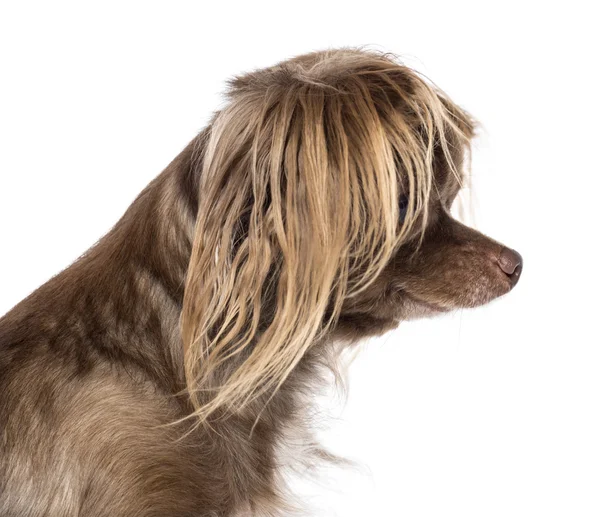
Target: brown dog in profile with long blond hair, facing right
x,y
164,372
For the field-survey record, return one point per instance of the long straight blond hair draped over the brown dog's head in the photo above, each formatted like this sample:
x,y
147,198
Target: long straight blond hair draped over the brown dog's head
x,y
299,208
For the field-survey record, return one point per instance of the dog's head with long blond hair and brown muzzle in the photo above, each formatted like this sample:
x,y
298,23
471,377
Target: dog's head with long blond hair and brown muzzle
x,y
324,211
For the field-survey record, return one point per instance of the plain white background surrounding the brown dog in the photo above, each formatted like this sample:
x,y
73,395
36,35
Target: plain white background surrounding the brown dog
x,y
490,412
